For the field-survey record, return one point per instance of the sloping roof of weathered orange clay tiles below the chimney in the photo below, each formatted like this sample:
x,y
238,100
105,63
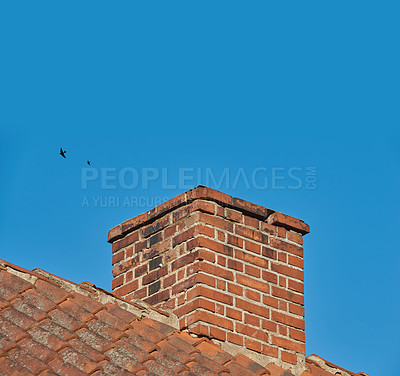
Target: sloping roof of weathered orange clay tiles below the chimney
x,y
51,326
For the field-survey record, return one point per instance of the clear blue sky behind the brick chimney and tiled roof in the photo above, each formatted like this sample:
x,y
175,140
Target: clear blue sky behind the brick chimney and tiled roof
x,y
234,86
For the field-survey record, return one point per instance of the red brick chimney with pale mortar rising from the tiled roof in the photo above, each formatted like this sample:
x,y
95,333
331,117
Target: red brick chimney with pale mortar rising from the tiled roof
x,y
228,269
